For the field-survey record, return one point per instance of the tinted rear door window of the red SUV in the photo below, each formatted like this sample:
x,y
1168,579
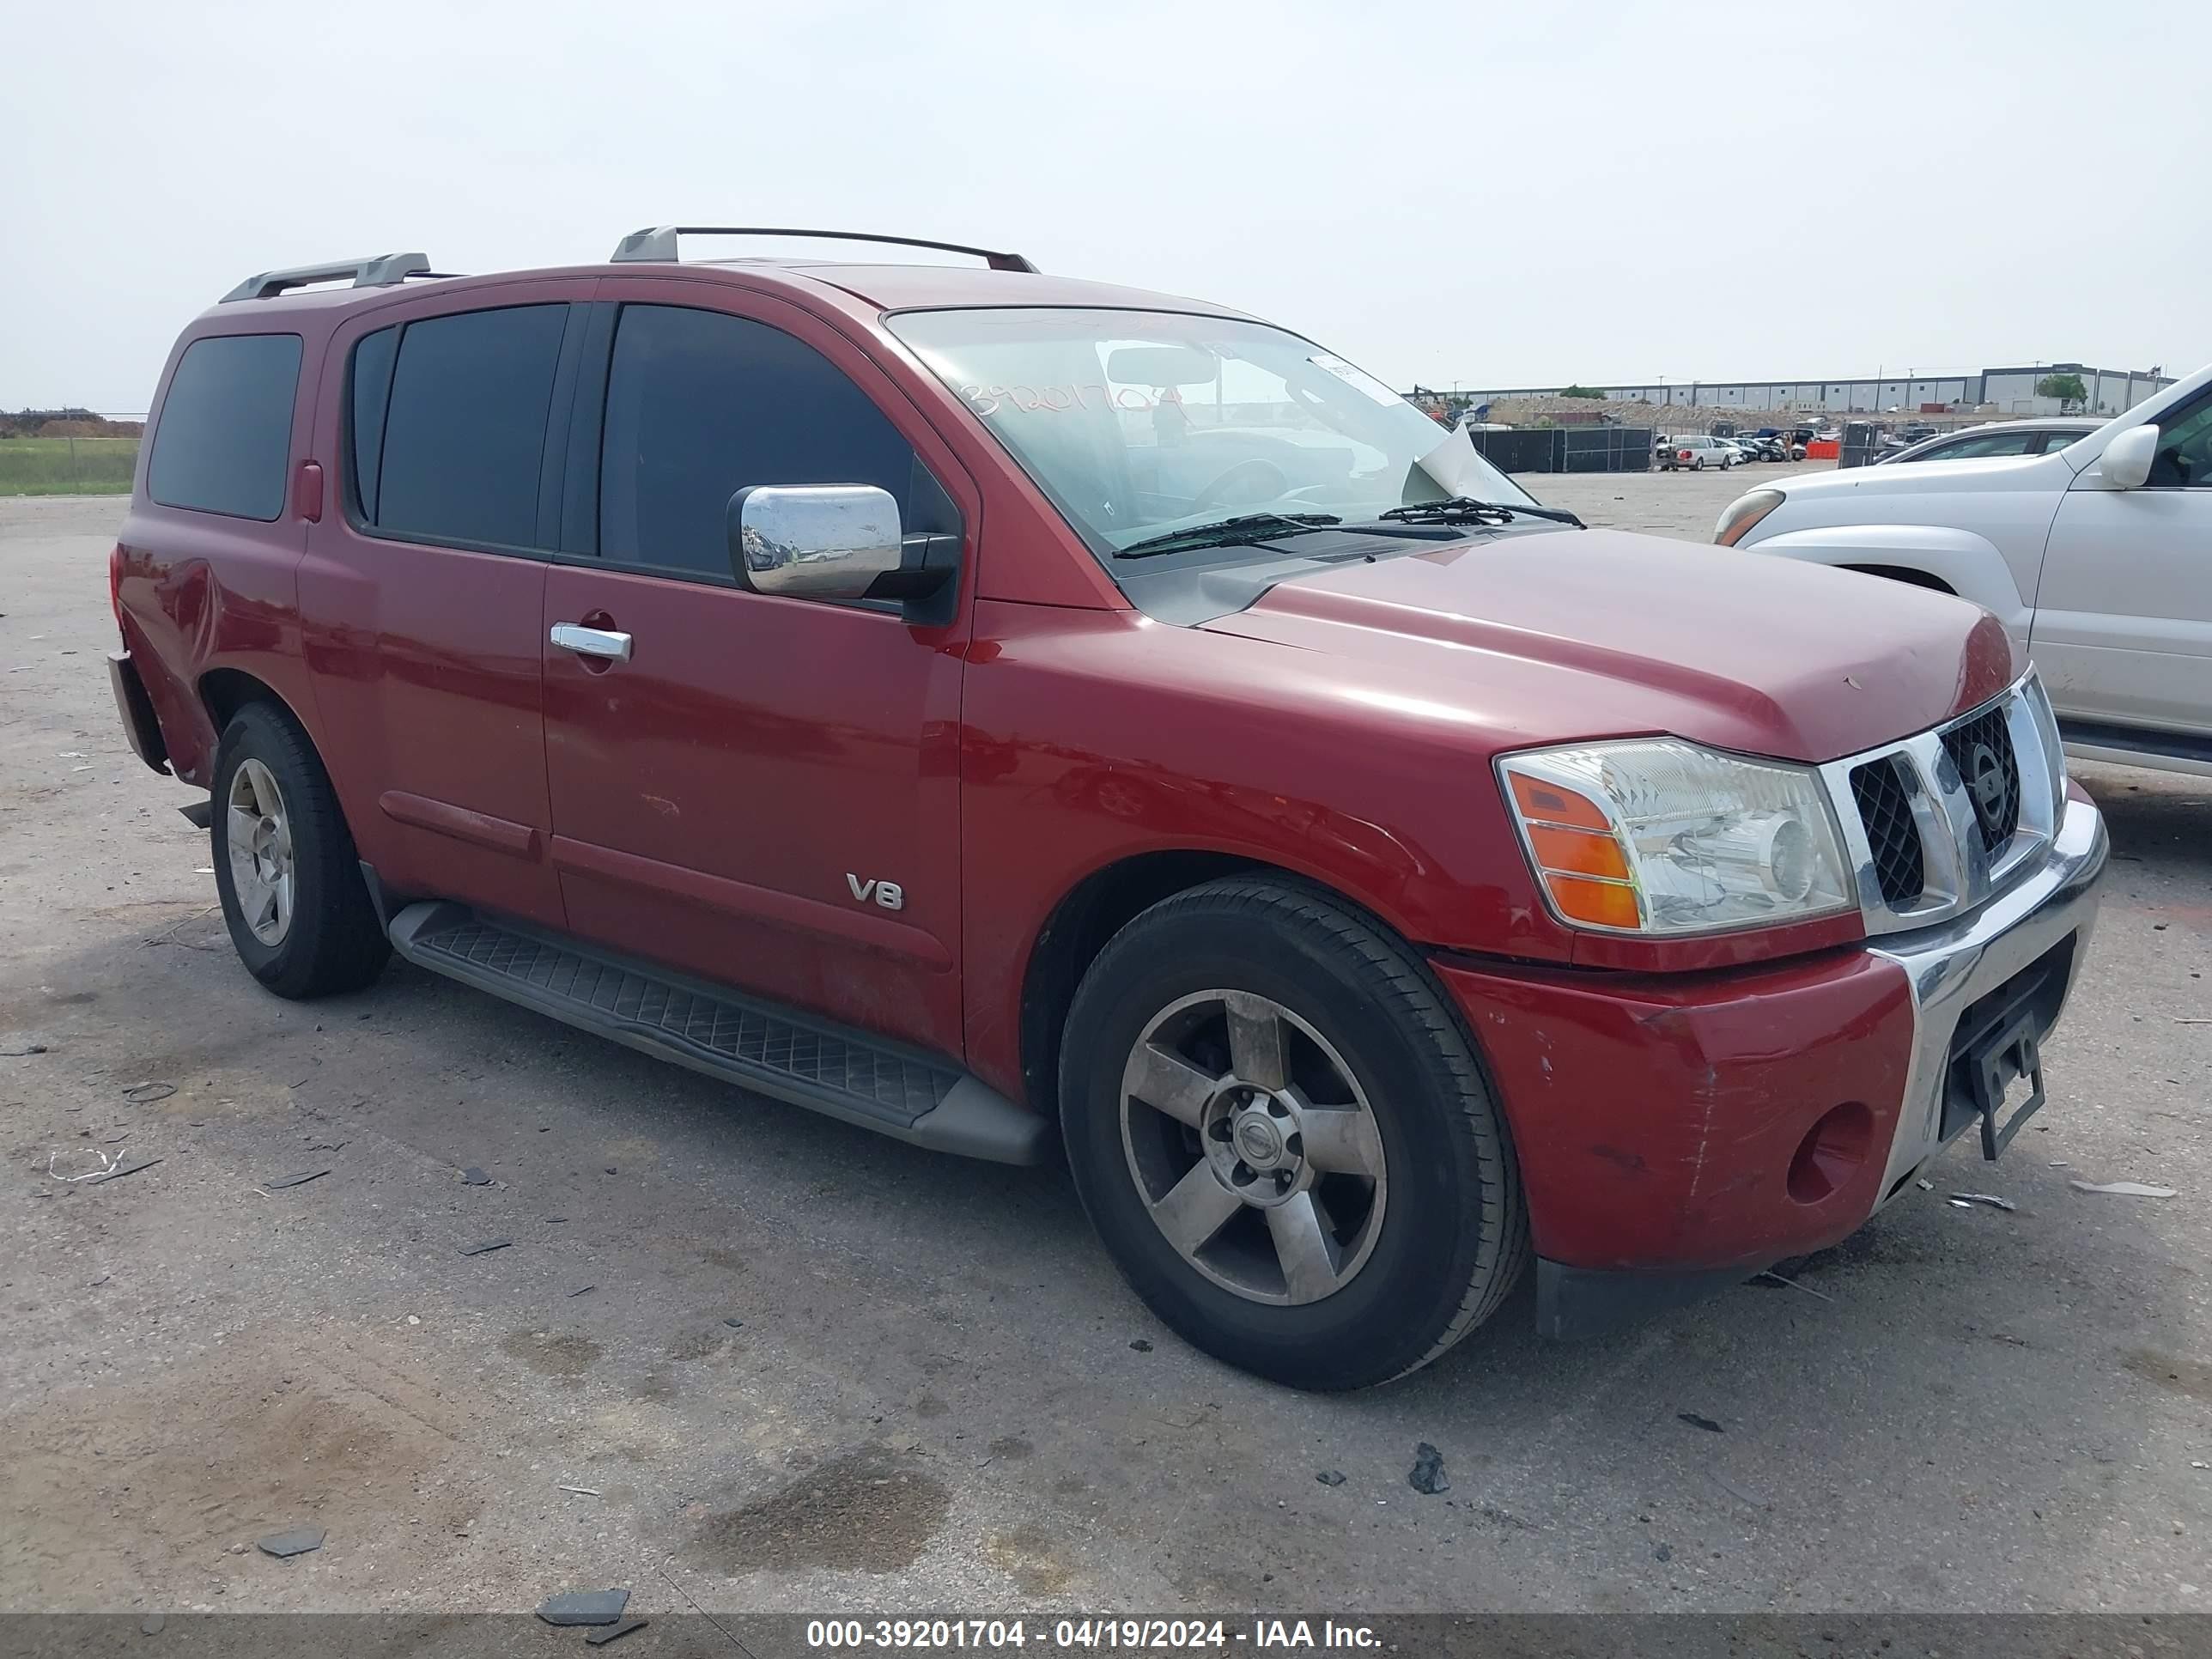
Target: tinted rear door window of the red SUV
x,y
466,428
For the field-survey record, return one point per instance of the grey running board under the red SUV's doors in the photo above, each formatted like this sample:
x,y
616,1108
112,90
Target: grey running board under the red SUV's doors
x,y
724,1034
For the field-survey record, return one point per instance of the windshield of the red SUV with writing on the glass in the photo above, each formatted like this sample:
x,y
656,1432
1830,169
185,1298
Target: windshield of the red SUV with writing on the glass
x,y
1145,424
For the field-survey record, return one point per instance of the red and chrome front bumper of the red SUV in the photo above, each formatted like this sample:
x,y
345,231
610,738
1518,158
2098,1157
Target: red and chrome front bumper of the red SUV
x,y
1678,1134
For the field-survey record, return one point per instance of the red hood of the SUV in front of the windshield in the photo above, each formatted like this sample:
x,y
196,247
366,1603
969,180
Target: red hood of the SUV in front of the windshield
x,y
1543,638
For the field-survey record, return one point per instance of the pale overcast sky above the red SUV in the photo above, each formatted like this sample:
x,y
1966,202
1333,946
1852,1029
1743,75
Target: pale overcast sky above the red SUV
x,y
1446,194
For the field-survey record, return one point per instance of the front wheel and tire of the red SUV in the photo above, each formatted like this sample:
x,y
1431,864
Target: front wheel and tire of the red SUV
x,y
1286,1140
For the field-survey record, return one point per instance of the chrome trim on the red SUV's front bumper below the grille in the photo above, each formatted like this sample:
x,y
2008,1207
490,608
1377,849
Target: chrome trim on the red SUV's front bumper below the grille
x,y
1954,963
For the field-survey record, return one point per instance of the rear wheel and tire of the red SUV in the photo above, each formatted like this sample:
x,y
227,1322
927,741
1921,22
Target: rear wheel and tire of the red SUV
x,y
286,870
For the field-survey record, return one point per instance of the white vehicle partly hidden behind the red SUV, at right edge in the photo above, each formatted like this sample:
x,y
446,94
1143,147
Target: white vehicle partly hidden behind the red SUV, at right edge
x,y
2096,556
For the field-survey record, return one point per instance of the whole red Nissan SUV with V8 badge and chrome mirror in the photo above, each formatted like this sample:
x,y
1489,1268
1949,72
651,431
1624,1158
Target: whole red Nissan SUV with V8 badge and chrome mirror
x,y
979,705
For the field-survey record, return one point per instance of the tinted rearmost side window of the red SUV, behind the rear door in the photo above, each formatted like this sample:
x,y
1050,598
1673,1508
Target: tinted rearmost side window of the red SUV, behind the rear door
x,y
227,426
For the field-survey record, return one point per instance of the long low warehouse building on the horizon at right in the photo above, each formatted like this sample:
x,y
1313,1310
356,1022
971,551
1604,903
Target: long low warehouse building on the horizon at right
x,y
2003,390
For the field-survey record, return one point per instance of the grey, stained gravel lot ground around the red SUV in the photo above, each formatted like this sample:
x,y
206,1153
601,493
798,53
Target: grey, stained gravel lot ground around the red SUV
x,y
817,1370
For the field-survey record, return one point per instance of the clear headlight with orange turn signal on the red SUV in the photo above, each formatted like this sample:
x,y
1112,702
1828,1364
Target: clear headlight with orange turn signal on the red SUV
x,y
1667,837
